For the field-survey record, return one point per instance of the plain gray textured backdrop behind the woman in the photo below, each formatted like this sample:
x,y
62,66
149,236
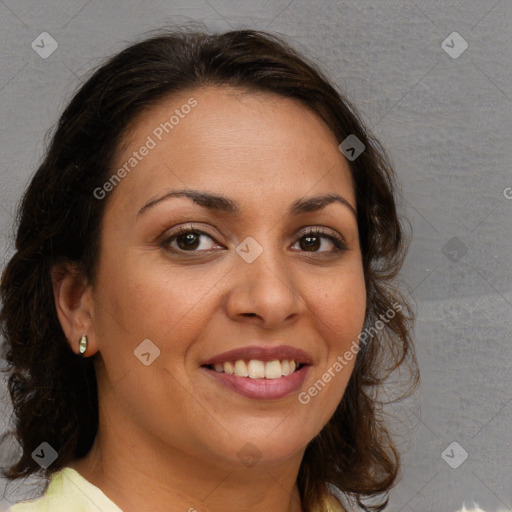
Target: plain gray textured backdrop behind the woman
x,y
446,123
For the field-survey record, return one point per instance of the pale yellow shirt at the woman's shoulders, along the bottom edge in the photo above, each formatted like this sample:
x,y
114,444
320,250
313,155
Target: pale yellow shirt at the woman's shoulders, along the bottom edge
x,y
69,491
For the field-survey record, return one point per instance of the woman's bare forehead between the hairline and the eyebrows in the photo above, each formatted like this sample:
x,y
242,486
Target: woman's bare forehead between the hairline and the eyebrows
x,y
219,137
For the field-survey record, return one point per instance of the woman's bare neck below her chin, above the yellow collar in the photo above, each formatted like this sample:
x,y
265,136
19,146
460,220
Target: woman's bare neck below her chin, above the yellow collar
x,y
137,476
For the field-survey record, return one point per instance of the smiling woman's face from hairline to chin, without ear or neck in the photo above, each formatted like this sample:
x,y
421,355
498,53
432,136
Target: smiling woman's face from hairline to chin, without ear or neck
x,y
183,280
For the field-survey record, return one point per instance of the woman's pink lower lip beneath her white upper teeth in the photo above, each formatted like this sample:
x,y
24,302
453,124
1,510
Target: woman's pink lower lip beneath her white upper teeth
x,y
261,389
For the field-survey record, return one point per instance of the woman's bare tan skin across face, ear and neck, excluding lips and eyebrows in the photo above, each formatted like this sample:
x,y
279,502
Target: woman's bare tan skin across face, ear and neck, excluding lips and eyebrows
x,y
169,434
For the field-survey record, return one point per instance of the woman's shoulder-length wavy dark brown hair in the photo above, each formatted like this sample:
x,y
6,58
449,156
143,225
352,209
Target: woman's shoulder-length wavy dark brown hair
x,y
54,391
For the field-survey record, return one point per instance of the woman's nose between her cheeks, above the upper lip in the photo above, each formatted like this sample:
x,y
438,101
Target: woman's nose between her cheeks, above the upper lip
x,y
265,291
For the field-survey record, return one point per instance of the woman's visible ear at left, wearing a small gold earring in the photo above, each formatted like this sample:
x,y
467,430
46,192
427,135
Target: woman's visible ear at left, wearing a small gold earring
x,y
74,305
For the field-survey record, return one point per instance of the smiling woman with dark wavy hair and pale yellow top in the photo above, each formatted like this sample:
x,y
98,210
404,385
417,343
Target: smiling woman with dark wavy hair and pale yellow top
x,y
200,314
